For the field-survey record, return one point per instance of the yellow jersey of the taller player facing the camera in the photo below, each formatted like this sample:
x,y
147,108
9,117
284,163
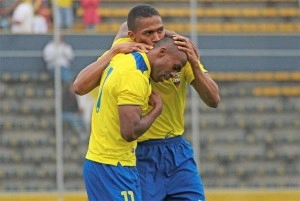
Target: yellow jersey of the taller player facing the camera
x,y
170,122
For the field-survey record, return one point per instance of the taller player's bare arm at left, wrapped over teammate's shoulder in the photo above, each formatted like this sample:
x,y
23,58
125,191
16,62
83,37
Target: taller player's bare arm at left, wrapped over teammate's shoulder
x,y
89,77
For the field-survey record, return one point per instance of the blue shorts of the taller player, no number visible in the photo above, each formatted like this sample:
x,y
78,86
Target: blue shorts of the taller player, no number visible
x,y
168,170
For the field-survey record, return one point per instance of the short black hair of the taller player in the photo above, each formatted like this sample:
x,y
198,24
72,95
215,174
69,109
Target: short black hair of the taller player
x,y
140,11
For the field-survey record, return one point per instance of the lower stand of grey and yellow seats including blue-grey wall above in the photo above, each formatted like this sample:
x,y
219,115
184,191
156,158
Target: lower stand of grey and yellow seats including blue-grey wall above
x,y
249,138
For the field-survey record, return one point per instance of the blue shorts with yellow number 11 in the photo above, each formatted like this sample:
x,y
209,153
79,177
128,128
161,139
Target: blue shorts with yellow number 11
x,y
108,182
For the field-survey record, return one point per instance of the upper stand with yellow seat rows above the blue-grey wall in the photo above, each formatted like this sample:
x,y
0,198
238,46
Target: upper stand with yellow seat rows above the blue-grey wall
x,y
222,16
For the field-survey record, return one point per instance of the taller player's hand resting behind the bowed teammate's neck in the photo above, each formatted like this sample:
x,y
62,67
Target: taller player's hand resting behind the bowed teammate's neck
x,y
130,47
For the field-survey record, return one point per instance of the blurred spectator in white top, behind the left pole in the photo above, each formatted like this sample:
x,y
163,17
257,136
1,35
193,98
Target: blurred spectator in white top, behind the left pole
x,y
59,54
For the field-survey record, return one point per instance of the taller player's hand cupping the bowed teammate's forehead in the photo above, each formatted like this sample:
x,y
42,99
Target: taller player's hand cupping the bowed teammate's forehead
x,y
186,45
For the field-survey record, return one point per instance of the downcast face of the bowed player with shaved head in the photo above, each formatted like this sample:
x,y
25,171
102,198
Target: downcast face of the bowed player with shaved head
x,y
167,67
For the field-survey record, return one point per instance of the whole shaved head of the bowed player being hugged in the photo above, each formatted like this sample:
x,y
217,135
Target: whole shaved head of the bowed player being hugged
x,y
165,60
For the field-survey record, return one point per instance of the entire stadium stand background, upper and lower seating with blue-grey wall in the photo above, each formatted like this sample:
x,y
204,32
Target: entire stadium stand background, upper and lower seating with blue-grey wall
x,y
249,142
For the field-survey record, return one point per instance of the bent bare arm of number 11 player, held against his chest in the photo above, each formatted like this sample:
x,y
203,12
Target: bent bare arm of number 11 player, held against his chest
x,y
133,124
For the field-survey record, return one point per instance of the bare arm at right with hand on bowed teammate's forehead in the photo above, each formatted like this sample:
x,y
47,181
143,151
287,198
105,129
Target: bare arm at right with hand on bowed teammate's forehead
x,y
204,85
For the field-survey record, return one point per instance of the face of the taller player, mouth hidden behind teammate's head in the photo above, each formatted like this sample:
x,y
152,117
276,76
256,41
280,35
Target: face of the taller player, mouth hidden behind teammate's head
x,y
149,30
